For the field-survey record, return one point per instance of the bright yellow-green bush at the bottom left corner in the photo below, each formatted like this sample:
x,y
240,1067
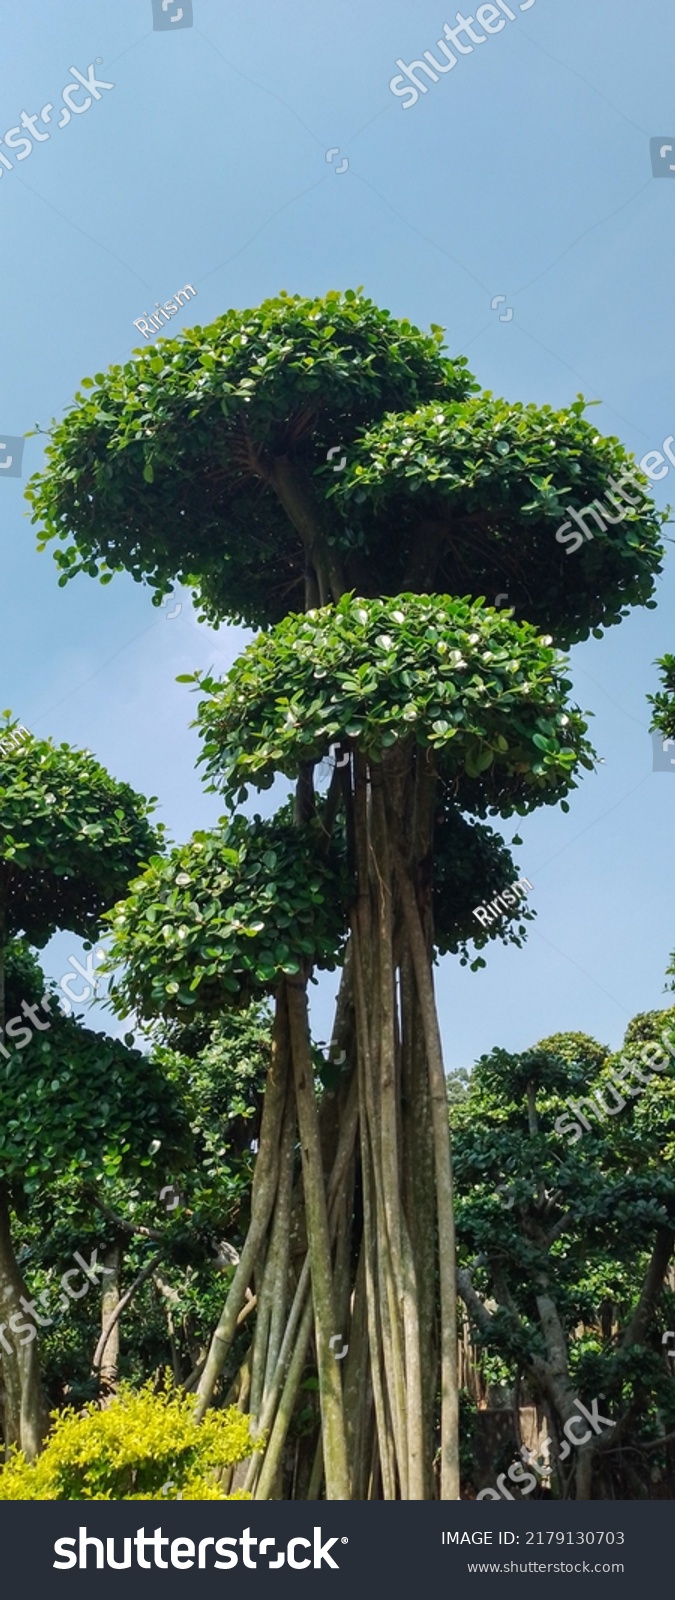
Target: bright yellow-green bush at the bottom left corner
x,y
142,1447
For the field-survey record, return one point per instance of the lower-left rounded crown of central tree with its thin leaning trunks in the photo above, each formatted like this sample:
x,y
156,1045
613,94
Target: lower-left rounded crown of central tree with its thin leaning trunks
x,y
225,919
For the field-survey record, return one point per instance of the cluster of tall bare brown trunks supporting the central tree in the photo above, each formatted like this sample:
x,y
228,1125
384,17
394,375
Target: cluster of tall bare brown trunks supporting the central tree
x,y
383,1223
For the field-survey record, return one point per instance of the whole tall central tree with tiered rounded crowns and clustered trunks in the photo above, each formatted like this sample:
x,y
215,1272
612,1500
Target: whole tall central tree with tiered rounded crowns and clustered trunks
x,y
212,460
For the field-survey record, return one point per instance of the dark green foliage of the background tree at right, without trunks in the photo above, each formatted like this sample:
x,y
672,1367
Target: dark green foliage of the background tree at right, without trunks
x,y
578,1218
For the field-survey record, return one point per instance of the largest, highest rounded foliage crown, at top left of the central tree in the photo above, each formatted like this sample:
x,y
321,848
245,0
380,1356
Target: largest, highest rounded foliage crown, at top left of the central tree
x,y
162,470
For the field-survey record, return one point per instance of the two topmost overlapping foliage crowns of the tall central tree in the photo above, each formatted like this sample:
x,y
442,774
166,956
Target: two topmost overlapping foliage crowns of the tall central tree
x,y
166,468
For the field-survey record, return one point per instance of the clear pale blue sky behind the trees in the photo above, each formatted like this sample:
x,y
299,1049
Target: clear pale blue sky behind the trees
x,y
525,174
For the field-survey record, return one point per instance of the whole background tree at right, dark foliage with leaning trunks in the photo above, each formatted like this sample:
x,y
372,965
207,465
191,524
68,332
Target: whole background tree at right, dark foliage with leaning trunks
x,y
565,1239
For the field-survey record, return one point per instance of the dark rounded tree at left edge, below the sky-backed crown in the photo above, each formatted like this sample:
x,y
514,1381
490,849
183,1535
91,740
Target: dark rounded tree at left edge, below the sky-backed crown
x,y
76,1110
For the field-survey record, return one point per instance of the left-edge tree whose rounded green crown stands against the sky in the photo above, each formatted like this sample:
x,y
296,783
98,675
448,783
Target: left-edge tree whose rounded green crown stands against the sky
x,y
71,839
